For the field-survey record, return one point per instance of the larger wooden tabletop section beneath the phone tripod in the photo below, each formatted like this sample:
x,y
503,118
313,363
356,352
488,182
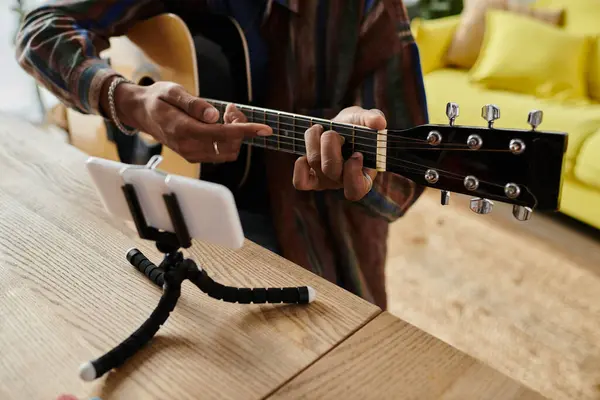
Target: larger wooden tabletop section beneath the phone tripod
x,y
67,295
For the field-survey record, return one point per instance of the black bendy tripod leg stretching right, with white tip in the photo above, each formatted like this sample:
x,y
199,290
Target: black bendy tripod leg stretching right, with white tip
x,y
288,295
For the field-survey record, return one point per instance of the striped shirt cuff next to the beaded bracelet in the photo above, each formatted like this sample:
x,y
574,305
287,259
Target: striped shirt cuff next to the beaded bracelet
x,y
87,84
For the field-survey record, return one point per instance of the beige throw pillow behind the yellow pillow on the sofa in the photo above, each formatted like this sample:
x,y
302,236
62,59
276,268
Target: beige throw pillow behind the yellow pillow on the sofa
x,y
466,43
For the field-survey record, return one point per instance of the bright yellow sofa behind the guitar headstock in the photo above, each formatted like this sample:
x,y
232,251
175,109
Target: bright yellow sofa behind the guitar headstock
x,y
580,196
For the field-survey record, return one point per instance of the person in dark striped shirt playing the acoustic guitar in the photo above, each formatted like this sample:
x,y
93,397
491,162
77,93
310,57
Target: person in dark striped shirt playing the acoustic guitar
x,y
353,61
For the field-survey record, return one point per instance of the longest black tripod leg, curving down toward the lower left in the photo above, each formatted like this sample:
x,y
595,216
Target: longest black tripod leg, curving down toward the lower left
x,y
117,356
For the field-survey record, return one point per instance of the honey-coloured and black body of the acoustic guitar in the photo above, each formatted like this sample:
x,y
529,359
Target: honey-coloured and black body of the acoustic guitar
x,y
212,63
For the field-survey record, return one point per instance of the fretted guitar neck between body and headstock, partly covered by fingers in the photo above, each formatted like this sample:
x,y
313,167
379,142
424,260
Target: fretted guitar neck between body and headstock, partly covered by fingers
x,y
289,129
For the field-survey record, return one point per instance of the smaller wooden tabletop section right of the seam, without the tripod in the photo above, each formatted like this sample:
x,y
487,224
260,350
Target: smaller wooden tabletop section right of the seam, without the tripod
x,y
390,359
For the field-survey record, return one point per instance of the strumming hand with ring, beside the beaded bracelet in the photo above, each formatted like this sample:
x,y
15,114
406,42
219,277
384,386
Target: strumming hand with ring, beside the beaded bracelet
x,y
186,124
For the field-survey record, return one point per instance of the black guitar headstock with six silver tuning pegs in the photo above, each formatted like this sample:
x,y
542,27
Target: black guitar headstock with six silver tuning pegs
x,y
515,166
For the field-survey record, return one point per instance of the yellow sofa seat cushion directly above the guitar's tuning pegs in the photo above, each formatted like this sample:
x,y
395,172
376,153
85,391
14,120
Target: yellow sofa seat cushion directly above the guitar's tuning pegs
x,y
451,85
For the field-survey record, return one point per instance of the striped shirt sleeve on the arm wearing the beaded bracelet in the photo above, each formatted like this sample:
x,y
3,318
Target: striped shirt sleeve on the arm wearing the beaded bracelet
x,y
59,44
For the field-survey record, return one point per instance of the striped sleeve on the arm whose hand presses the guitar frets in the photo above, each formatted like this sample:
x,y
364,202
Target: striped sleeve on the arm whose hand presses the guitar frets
x,y
392,81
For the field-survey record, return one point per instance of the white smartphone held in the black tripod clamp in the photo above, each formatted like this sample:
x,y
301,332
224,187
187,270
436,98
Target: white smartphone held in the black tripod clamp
x,y
208,209
